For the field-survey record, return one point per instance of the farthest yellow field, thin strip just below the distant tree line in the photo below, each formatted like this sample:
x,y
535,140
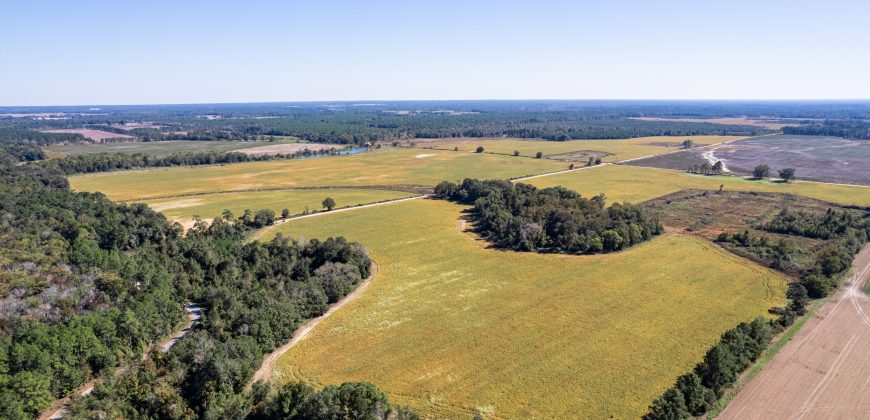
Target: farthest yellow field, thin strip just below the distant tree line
x,y
617,149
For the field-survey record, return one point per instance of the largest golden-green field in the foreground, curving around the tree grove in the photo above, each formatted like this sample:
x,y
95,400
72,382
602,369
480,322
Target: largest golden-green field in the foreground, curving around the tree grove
x,y
450,327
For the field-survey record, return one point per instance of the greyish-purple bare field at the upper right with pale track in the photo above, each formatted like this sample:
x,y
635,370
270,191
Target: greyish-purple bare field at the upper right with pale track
x,y
828,159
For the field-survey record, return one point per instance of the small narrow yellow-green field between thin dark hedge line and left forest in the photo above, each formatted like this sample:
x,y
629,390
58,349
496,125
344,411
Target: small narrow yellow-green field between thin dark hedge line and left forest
x,y
183,209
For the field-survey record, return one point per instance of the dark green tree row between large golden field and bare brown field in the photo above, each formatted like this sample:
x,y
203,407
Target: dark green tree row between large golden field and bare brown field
x,y
695,392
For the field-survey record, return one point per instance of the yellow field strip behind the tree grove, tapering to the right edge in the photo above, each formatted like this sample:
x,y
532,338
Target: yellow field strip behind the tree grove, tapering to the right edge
x,y
636,184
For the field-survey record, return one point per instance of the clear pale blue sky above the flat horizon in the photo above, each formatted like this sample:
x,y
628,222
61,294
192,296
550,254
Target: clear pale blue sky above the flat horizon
x,y
131,52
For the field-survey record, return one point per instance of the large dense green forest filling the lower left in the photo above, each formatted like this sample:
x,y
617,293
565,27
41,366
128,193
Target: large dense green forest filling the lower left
x,y
88,286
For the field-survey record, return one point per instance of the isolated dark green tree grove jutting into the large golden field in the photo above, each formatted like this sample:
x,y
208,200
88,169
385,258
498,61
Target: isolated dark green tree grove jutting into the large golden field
x,y
522,217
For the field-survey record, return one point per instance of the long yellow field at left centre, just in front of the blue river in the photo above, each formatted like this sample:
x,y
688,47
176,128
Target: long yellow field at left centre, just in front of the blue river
x,y
384,167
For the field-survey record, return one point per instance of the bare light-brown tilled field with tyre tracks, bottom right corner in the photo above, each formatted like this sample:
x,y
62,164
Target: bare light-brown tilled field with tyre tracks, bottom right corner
x,y
824,372
